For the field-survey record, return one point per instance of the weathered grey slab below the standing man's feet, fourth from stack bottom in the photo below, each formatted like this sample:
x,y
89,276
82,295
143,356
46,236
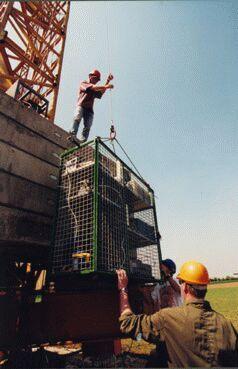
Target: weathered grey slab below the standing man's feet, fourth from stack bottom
x,y
23,138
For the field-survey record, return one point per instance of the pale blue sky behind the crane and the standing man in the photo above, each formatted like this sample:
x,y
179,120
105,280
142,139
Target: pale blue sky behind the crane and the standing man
x,y
175,109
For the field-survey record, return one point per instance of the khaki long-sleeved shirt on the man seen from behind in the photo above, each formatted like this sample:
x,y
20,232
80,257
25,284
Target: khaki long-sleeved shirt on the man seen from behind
x,y
193,335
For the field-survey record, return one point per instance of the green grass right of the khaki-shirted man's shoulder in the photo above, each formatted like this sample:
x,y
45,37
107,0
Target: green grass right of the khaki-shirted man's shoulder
x,y
225,301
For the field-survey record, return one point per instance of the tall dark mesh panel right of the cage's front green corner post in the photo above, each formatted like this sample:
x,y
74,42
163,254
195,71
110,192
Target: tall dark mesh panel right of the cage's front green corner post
x,y
112,241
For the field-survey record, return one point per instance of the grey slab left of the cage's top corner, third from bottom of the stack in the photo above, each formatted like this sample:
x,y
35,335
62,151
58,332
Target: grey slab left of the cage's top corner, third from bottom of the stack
x,y
17,162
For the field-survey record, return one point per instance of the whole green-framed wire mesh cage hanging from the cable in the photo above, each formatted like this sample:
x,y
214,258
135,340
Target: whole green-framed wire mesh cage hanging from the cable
x,y
106,216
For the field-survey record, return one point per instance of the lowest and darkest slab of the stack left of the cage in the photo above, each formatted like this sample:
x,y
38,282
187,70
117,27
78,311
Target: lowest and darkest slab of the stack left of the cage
x,y
18,227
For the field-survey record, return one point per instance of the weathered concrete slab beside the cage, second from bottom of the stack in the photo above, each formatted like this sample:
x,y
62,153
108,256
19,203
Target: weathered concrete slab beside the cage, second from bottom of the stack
x,y
19,193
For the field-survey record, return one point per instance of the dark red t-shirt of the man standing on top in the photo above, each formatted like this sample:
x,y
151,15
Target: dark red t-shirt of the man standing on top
x,y
86,95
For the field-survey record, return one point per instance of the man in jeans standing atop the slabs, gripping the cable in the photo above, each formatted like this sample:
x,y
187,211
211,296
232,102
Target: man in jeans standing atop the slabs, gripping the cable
x,y
88,91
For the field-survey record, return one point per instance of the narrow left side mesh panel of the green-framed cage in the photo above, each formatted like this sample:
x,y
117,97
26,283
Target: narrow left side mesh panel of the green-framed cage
x,y
73,243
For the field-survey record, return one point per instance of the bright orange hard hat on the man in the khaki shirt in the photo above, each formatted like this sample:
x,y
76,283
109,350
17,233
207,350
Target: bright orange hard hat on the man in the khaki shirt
x,y
194,272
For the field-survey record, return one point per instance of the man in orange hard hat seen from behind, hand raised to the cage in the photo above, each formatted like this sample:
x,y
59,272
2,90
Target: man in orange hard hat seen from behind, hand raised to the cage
x,y
192,335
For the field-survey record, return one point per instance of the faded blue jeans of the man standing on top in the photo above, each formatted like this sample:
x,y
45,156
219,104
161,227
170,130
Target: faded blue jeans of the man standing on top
x,y
87,116
